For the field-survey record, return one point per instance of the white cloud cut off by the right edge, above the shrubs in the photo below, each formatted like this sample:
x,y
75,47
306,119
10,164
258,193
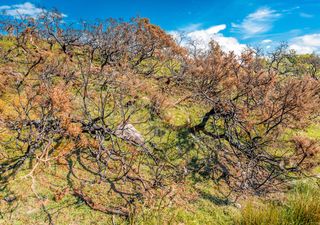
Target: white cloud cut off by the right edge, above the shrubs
x,y
306,44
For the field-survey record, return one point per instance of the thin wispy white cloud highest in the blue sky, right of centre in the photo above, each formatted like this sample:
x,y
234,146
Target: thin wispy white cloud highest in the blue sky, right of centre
x,y
257,22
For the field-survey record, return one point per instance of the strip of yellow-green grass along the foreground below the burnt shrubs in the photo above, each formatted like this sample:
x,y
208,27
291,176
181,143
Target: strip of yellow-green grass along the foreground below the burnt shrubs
x,y
299,206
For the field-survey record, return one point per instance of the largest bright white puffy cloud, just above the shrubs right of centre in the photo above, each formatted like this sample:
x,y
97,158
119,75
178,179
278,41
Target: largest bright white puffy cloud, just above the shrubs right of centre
x,y
202,37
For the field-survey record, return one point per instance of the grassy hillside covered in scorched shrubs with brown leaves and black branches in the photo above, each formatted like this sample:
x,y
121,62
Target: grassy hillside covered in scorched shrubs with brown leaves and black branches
x,y
115,123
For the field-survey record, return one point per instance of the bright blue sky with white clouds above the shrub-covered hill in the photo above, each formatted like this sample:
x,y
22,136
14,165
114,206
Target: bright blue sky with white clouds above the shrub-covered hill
x,y
233,23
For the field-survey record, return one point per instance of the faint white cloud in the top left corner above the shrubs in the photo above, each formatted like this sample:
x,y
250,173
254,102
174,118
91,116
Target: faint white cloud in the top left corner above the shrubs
x,y
25,9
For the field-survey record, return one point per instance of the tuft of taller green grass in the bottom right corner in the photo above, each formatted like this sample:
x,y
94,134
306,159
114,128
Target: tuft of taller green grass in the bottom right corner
x,y
302,207
